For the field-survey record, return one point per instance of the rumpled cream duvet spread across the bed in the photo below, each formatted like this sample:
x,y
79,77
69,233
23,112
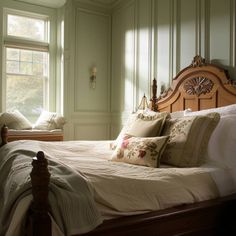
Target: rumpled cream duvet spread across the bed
x,y
125,189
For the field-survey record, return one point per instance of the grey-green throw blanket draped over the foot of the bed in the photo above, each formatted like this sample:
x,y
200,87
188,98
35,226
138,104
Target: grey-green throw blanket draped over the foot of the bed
x,y
70,196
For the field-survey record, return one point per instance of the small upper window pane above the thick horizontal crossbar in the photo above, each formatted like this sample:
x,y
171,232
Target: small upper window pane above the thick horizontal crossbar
x,y
26,27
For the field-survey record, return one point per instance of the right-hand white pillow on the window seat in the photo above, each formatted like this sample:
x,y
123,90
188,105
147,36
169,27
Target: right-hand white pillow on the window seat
x,y
49,120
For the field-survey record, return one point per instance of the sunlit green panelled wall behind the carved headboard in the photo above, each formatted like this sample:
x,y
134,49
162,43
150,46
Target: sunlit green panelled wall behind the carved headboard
x,y
158,38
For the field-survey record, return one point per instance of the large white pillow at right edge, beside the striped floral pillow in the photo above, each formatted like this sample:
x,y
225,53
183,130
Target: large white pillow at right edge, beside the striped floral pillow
x,y
222,144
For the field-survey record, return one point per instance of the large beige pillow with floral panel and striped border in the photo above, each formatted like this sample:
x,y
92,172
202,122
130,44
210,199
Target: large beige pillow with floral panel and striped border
x,y
189,137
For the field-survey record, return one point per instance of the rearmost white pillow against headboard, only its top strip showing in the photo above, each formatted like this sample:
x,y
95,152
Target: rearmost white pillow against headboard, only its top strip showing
x,y
226,110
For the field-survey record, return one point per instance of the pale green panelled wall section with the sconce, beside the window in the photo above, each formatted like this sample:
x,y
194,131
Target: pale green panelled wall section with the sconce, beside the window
x,y
87,44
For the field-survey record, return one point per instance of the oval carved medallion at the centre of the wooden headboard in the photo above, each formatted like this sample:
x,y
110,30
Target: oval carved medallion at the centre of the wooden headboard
x,y
198,86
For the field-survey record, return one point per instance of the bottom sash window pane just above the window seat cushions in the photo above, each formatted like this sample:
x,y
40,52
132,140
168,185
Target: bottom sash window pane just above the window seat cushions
x,y
26,94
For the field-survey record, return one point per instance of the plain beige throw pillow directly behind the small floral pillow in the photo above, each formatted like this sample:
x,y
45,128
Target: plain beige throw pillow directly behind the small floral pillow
x,y
148,118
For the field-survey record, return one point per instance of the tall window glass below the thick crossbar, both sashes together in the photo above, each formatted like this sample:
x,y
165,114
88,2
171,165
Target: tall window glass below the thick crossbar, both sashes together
x,y
27,76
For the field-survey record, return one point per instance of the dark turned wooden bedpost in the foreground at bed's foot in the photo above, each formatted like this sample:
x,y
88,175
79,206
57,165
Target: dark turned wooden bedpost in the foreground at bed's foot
x,y
40,222
